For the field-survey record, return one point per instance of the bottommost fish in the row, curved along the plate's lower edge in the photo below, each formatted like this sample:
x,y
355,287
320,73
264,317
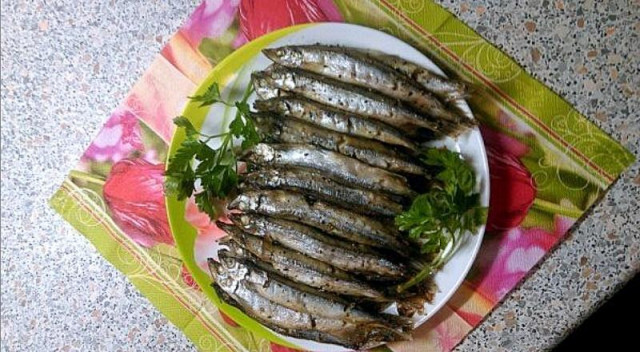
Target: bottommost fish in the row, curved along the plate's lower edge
x,y
234,290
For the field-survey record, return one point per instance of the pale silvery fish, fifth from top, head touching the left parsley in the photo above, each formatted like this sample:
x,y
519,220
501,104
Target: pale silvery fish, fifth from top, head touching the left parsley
x,y
336,166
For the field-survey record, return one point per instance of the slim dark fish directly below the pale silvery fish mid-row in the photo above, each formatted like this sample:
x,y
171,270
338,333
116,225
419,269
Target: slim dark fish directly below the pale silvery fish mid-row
x,y
321,187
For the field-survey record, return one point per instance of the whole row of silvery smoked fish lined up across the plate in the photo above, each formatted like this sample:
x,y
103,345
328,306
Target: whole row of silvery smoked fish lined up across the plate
x,y
312,250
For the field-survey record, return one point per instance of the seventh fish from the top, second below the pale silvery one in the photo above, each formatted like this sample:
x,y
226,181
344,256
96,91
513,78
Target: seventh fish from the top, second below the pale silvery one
x,y
331,219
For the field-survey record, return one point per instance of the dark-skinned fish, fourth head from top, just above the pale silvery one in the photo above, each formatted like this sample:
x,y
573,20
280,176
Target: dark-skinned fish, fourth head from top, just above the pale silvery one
x,y
291,131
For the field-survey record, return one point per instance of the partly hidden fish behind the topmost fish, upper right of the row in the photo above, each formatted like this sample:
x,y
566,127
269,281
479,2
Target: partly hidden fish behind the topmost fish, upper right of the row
x,y
446,89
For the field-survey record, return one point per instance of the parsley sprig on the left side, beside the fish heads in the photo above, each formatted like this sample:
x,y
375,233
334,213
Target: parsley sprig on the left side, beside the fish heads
x,y
215,169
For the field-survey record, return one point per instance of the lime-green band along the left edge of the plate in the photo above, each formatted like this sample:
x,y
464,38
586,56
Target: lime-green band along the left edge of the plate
x,y
183,233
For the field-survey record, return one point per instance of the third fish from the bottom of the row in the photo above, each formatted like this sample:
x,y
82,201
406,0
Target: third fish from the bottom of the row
x,y
296,266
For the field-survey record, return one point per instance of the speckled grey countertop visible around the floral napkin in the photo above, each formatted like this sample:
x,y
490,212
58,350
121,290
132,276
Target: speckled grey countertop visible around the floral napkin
x,y
67,64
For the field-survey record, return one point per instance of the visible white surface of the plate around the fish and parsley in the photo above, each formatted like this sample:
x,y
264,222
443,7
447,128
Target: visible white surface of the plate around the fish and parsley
x,y
470,144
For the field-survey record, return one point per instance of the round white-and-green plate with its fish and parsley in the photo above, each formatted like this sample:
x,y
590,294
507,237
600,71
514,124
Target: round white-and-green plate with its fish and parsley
x,y
345,179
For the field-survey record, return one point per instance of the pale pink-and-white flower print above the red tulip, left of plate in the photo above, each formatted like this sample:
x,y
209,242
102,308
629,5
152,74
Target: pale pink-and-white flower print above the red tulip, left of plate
x,y
119,137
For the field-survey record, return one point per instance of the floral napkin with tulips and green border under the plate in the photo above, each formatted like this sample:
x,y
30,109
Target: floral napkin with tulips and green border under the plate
x,y
548,163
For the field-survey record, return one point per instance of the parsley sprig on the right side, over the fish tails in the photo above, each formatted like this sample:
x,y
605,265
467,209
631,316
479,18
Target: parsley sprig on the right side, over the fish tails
x,y
439,219
